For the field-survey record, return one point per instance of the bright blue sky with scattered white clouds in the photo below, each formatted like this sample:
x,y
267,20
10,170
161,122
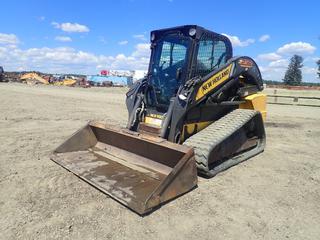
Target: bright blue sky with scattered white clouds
x,y
87,36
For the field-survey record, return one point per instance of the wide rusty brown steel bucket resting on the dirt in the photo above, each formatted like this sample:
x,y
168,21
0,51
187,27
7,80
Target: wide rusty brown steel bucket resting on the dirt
x,y
138,170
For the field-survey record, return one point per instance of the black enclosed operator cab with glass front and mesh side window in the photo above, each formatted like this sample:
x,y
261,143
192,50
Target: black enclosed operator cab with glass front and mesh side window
x,y
179,54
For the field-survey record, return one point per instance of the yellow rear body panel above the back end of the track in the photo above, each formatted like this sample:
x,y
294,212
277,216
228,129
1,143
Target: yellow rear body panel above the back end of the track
x,y
257,102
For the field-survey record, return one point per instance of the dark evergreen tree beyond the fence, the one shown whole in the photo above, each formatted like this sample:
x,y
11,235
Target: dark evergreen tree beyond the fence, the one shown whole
x,y
293,75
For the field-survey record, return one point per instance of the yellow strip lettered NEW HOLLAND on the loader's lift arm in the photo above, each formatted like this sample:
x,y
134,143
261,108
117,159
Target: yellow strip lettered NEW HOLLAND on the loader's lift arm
x,y
214,81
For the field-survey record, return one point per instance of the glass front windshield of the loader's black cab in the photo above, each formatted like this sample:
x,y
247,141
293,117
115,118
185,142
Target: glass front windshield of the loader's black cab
x,y
169,59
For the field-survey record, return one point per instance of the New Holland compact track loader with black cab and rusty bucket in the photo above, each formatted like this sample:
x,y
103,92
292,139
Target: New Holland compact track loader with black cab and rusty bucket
x,y
198,110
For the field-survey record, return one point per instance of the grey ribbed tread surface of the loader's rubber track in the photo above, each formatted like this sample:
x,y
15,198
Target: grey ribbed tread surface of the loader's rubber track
x,y
206,140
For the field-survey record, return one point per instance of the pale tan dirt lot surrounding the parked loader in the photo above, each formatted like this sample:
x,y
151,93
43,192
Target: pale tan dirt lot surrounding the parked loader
x,y
276,195
